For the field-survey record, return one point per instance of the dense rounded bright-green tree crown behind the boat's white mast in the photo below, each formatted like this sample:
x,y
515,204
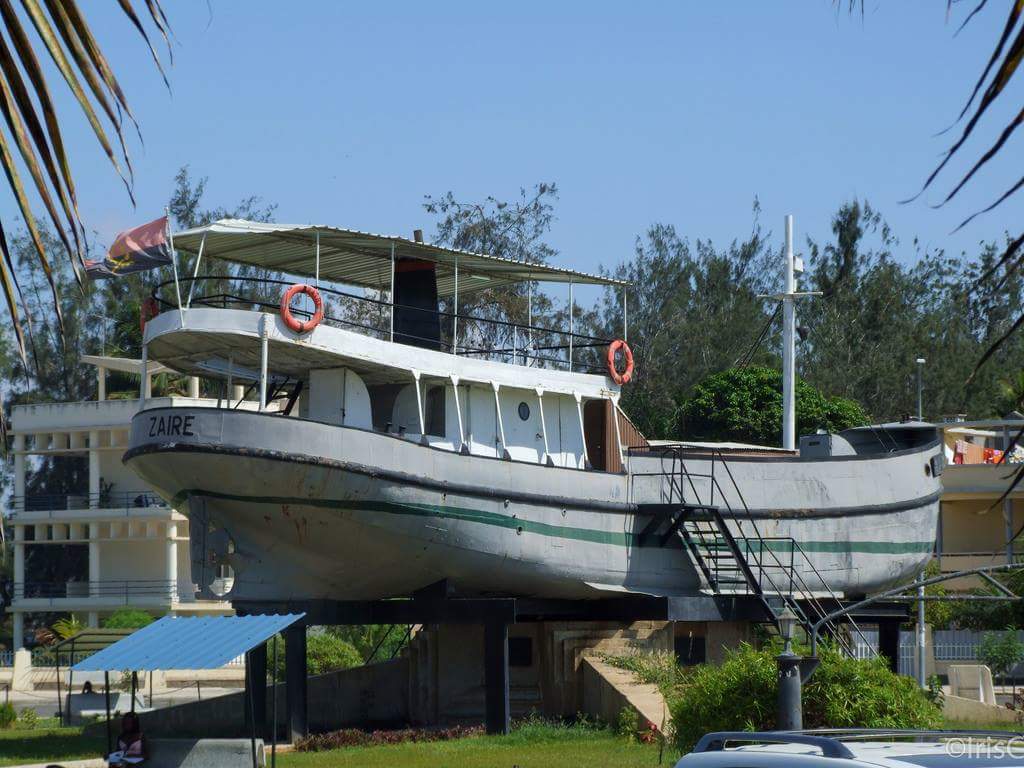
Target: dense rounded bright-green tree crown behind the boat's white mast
x,y
746,405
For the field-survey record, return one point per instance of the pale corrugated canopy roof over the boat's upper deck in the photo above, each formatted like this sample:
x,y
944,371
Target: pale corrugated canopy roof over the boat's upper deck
x,y
358,259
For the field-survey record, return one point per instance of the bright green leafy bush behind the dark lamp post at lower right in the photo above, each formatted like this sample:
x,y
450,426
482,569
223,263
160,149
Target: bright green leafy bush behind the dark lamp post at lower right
x,y
740,695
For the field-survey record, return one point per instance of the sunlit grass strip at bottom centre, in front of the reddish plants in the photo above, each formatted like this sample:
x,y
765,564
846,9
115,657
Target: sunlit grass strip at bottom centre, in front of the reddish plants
x,y
533,748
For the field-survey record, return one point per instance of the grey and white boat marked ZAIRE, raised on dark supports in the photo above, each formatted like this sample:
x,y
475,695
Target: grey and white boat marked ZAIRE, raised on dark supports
x,y
404,438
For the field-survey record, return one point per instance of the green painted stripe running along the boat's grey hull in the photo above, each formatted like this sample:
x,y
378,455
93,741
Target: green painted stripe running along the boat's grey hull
x,y
618,539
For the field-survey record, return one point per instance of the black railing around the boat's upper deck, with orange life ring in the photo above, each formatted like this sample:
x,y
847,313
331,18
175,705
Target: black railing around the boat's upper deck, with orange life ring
x,y
461,333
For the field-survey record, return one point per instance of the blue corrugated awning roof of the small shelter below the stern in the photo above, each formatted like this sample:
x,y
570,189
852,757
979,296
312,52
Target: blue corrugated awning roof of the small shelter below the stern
x,y
188,644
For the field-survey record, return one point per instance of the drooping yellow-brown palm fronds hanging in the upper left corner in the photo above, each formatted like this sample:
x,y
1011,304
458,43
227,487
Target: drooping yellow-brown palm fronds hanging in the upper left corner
x,y
28,107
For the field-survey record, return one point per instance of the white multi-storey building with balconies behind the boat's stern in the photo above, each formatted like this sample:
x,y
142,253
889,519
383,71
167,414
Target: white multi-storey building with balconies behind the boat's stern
x,y
122,545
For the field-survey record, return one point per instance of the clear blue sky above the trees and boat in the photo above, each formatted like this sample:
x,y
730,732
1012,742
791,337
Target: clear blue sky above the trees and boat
x,y
676,112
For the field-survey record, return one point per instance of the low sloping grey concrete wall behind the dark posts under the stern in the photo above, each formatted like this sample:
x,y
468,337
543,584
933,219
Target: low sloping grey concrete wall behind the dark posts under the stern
x,y
376,695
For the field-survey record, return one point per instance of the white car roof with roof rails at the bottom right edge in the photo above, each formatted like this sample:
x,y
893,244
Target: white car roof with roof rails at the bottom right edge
x,y
858,749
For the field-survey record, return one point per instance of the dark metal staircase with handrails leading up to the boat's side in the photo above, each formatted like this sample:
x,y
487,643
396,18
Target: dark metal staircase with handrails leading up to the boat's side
x,y
737,560
